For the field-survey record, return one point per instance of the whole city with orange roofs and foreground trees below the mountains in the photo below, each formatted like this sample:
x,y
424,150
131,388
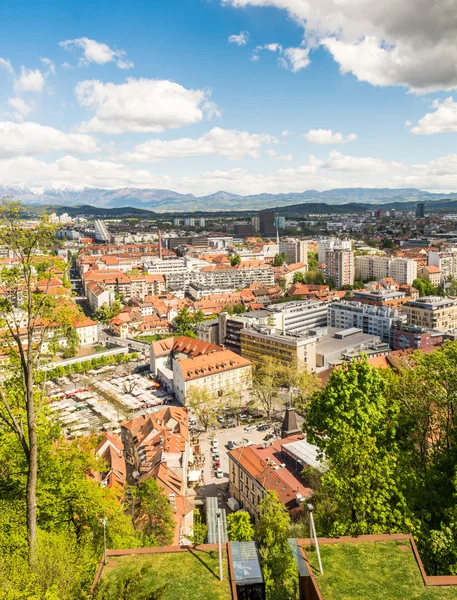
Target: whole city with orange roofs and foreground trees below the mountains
x,y
228,389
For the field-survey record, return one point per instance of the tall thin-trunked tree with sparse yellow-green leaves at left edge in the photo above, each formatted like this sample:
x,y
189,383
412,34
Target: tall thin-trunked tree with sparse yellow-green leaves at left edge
x,y
43,314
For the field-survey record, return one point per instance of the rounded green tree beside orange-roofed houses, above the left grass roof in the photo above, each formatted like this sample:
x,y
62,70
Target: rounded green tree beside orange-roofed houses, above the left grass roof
x,y
151,512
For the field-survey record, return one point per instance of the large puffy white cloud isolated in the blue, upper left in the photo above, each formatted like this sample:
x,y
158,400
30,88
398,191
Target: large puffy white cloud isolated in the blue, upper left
x,y
141,105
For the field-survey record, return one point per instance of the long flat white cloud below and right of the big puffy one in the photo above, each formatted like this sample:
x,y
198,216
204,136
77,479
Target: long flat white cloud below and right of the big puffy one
x,y
232,144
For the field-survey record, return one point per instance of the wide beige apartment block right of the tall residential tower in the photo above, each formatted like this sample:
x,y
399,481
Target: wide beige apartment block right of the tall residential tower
x,y
402,270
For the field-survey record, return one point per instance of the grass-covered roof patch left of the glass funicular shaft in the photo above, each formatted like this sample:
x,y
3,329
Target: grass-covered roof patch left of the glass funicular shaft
x,y
186,575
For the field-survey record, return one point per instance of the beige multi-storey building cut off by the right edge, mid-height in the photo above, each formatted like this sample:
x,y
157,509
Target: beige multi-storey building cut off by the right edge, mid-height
x,y
432,312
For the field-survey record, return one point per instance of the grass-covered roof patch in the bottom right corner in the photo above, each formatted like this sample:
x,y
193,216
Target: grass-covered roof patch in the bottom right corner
x,y
374,570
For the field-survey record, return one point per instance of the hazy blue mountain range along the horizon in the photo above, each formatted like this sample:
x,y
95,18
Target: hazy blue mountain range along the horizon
x,y
169,201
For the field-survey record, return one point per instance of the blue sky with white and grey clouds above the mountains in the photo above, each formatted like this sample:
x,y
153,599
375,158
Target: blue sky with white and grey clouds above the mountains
x,y
247,96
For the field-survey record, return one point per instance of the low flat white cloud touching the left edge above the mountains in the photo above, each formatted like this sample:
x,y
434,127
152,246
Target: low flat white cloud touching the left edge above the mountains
x,y
29,139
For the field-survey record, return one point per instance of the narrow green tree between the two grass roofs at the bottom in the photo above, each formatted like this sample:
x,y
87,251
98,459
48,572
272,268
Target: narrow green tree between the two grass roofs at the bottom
x,y
278,565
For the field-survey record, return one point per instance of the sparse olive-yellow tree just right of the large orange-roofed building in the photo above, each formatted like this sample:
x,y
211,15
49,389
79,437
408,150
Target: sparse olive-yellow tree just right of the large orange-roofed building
x,y
269,377
